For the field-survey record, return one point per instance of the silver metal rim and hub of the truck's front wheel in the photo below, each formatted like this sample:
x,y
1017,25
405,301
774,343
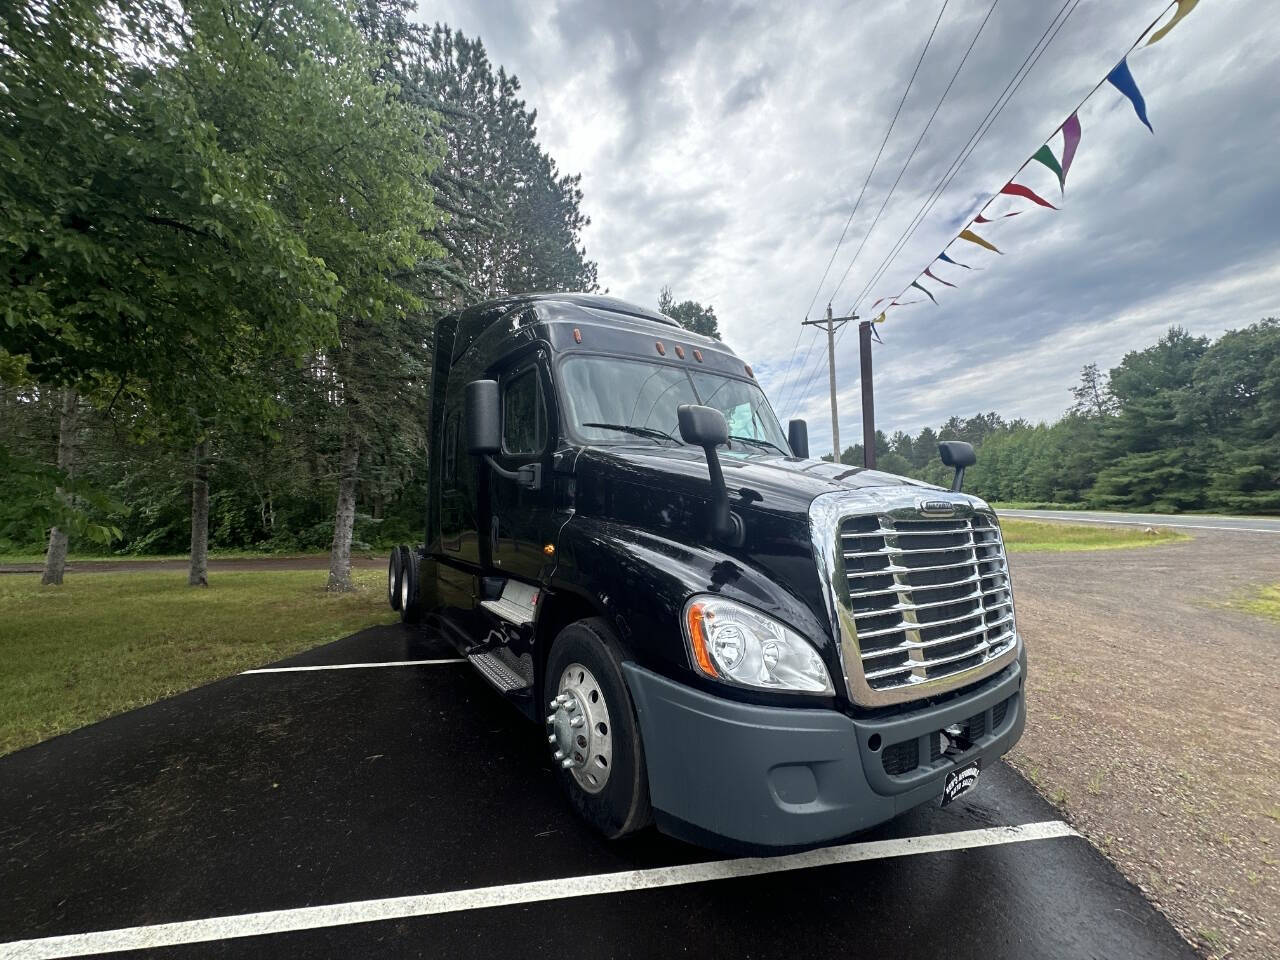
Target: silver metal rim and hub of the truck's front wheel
x,y
579,729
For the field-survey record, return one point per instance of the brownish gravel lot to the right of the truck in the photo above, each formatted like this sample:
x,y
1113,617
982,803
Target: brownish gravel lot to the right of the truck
x,y
1154,724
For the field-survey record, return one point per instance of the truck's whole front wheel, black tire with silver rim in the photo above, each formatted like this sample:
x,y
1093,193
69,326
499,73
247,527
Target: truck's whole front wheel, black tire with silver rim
x,y
593,732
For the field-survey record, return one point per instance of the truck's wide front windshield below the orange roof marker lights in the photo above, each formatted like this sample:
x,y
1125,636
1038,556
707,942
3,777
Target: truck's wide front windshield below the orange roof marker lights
x,y
609,400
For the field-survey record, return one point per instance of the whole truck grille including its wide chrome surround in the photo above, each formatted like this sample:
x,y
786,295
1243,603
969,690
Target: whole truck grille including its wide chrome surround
x,y
967,543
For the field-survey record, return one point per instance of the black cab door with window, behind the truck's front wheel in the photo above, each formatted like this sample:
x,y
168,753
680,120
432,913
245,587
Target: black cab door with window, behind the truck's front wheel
x,y
522,520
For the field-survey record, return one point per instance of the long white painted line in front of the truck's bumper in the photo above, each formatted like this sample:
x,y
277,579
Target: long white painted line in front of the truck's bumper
x,y
307,918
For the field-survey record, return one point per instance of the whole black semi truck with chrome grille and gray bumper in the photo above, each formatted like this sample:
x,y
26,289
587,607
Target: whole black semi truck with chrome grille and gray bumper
x,y
748,647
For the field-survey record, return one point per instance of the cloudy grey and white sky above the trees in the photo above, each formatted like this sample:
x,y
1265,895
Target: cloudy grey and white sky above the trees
x,y
723,148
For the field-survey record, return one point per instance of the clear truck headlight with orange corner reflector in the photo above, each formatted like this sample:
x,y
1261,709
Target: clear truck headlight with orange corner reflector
x,y
735,644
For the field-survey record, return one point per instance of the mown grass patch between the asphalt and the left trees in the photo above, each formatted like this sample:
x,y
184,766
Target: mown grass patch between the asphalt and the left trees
x,y
108,643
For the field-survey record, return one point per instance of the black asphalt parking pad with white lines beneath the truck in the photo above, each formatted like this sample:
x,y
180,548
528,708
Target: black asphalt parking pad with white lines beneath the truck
x,y
399,808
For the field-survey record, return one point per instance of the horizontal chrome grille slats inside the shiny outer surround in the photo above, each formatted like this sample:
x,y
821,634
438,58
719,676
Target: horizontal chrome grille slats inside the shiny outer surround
x,y
930,598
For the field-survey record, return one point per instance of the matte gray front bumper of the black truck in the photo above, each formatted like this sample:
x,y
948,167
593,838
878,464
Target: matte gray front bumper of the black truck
x,y
787,778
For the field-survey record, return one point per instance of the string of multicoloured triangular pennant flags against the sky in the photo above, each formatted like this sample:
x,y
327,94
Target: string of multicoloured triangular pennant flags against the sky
x,y
1060,166
